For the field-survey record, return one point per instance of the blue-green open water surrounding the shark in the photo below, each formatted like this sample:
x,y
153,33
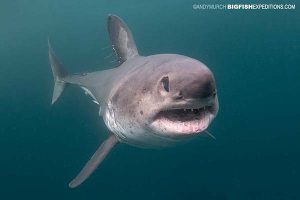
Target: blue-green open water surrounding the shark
x,y
254,55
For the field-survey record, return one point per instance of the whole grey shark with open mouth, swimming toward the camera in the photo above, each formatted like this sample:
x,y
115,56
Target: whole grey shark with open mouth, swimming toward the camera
x,y
147,101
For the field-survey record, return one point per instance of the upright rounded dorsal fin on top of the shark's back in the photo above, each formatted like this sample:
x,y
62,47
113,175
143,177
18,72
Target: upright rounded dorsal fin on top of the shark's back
x,y
121,38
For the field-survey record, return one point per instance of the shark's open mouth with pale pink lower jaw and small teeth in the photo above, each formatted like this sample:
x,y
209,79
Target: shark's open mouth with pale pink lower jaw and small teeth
x,y
184,121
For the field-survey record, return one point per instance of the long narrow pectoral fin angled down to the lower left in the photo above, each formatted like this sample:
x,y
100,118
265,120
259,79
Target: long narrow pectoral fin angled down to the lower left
x,y
95,161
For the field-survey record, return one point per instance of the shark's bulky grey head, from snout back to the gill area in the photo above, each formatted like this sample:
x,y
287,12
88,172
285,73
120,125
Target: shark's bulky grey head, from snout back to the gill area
x,y
171,97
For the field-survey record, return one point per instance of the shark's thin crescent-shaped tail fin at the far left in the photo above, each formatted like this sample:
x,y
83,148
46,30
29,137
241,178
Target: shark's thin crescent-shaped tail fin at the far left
x,y
58,73
